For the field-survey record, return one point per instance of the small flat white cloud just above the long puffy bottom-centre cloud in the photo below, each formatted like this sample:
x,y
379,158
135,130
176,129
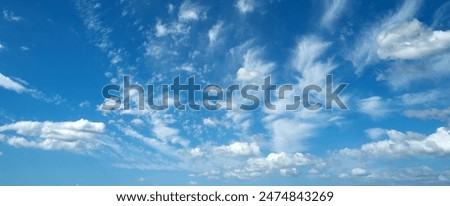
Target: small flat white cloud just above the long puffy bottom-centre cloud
x,y
238,149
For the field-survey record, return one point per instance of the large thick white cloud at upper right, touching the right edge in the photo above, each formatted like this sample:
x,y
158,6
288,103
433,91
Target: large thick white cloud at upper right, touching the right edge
x,y
411,40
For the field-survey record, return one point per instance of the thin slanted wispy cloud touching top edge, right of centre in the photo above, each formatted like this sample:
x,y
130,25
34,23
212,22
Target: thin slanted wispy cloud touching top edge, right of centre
x,y
333,10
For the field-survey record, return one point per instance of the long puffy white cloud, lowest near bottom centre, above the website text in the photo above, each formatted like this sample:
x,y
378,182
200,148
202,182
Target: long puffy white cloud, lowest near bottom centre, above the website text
x,y
256,167
